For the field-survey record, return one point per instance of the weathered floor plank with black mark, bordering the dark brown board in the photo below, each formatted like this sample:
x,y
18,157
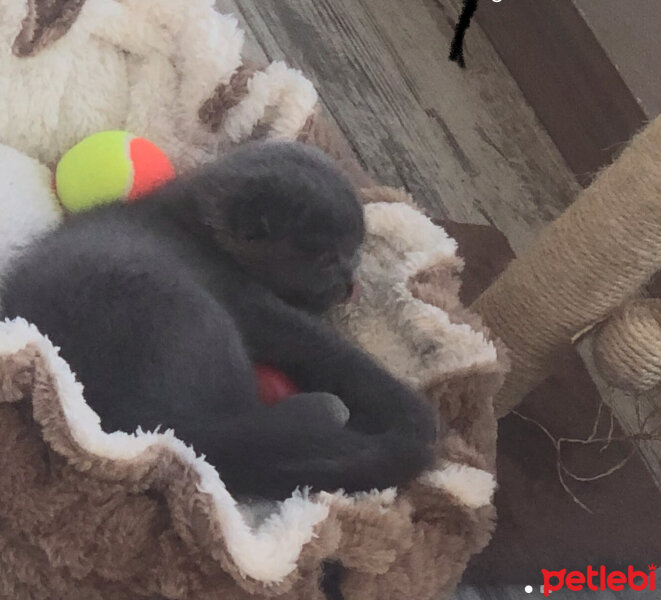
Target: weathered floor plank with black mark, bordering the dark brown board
x,y
482,115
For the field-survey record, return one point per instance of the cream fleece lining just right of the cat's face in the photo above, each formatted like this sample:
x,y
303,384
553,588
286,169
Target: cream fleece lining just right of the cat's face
x,y
402,242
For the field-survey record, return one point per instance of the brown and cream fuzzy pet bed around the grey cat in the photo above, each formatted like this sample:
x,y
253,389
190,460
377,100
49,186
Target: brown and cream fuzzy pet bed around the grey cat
x,y
90,515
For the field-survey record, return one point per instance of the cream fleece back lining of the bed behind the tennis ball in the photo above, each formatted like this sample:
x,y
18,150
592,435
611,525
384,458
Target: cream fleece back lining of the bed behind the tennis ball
x,y
70,68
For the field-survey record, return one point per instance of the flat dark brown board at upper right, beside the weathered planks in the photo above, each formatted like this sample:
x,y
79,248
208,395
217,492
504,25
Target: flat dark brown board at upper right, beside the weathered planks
x,y
566,76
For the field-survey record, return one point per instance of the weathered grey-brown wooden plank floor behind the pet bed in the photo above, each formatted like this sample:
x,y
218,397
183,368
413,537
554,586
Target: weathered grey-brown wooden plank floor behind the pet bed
x,y
465,143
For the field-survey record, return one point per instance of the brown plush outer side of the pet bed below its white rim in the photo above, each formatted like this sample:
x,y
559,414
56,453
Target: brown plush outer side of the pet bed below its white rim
x,y
76,525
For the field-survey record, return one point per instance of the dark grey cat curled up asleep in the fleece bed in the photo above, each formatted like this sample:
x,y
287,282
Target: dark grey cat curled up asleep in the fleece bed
x,y
163,306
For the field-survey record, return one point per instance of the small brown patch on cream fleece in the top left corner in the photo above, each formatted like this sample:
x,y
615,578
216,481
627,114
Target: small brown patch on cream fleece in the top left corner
x,y
45,22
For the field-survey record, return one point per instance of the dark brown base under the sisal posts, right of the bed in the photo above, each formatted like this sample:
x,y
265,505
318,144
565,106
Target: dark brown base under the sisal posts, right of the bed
x,y
539,524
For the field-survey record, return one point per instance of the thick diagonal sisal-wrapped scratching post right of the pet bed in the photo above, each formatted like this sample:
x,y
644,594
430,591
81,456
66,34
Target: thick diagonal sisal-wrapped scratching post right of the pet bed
x,y
595,256
